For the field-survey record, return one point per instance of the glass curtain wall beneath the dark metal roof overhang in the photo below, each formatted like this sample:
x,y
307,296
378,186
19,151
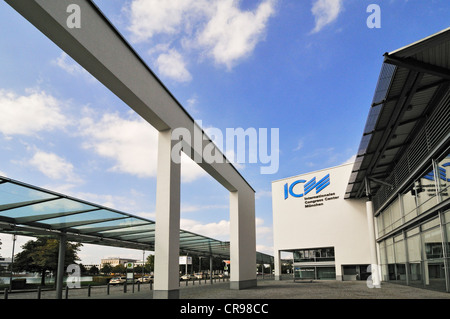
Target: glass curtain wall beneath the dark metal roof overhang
x,y
420,255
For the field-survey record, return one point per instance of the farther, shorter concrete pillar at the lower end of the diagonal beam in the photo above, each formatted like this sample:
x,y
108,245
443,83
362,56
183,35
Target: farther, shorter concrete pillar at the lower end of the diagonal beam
x,y
242,239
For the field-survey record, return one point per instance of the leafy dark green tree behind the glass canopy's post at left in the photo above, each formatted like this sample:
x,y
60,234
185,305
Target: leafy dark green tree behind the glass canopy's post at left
x,y
41,255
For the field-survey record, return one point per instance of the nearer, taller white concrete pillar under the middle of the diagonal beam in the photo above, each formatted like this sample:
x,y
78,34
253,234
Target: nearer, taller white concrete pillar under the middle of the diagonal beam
x,y
167,231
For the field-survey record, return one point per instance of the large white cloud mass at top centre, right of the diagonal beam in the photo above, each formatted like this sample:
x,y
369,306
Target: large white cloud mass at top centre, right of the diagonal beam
x,y
214,28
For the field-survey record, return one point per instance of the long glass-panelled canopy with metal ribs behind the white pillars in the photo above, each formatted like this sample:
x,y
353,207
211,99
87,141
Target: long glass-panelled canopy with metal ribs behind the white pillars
x,y
32,211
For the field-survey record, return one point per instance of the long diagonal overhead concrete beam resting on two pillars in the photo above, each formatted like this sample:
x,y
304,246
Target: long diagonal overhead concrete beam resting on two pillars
x,y
102,51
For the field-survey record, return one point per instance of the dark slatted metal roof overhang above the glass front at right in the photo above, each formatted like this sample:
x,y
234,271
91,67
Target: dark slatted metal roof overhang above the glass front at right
x,y
412,80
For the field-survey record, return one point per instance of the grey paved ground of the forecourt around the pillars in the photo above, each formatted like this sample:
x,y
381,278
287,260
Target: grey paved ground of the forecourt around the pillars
x,y
266,289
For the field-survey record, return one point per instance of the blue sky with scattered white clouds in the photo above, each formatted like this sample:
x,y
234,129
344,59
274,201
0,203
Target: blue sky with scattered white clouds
x,y
307,68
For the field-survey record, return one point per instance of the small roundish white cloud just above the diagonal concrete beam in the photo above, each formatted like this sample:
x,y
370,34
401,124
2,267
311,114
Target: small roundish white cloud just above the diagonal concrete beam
x,y
172,65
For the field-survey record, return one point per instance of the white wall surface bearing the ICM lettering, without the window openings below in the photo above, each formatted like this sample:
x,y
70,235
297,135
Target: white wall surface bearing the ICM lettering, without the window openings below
x,y
337,223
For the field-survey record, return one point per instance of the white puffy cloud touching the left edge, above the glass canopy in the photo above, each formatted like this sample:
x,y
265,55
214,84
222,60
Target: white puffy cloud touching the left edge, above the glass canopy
x,y
30,114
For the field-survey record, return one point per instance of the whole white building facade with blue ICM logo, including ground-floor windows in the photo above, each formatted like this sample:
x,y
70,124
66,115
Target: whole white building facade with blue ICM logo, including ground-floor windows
x,y
327,234
